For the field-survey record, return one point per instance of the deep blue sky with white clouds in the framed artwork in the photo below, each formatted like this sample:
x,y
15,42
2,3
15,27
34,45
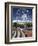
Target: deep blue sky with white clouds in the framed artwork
x,y
19,13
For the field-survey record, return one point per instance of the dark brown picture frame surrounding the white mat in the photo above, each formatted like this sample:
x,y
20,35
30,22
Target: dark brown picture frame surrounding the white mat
x,y
7,16
